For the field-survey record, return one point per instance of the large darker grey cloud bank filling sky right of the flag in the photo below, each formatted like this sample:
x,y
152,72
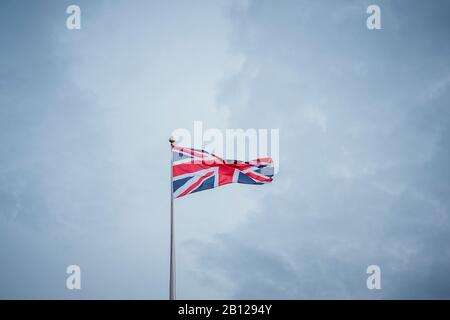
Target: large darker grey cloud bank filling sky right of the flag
x,y
364,156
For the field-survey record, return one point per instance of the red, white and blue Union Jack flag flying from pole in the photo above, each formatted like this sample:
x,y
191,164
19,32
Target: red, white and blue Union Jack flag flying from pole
x,y
196,170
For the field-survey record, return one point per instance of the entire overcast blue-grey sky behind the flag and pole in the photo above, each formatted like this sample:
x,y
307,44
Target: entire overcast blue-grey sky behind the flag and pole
x,y
364,126
